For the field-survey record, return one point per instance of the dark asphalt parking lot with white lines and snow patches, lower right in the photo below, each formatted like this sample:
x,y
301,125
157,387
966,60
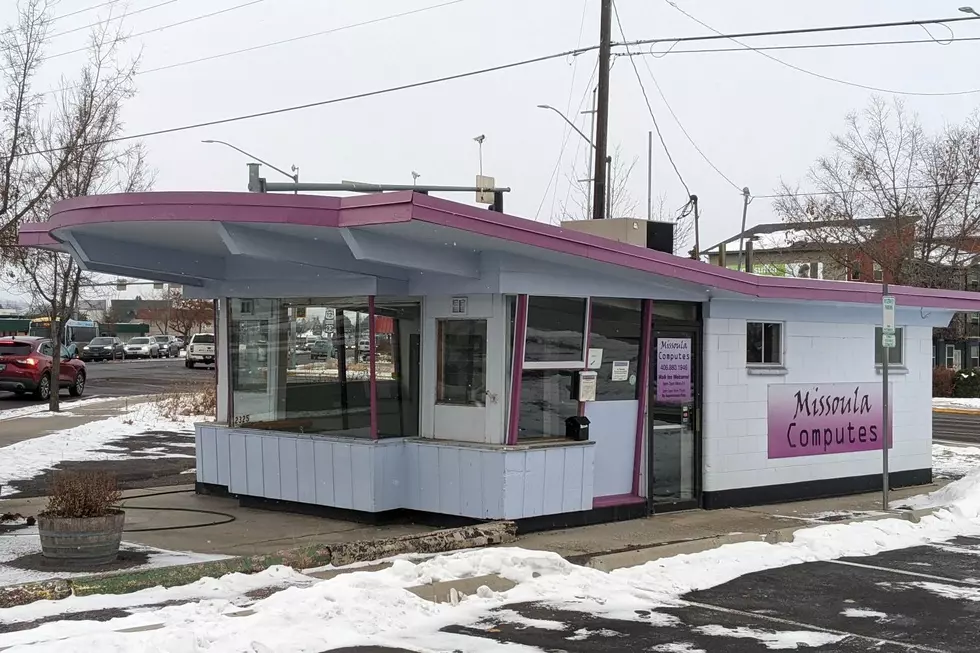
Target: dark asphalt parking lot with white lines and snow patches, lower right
x,y
925,598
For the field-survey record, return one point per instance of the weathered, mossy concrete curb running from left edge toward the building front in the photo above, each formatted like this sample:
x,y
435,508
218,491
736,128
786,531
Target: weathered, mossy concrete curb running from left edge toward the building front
x,y
343,553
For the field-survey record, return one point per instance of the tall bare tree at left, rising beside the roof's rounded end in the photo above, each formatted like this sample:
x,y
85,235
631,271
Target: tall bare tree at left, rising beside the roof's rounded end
x,y
60,150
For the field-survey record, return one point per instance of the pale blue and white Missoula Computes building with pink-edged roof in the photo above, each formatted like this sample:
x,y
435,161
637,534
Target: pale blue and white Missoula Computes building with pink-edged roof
x,y
704,387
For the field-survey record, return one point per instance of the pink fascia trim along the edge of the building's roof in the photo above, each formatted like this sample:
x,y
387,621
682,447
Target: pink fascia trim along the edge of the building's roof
x,y
404,206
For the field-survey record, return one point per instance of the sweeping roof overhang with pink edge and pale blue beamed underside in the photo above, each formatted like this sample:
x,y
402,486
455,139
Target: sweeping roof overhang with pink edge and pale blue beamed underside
x,y
394,240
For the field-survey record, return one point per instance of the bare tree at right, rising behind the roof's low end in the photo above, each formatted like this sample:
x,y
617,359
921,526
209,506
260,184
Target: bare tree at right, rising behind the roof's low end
x,y
894,196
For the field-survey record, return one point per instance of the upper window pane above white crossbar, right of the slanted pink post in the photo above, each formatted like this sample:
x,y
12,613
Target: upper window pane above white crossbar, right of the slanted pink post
x,y
555,330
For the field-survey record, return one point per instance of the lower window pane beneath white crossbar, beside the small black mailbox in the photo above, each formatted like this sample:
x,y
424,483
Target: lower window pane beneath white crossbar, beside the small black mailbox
x,y
546,402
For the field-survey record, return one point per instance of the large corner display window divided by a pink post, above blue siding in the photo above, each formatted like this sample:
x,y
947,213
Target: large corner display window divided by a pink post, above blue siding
x,y
303,365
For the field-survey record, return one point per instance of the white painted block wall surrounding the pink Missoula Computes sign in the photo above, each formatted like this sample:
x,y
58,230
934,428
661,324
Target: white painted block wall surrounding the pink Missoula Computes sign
x,y
735,403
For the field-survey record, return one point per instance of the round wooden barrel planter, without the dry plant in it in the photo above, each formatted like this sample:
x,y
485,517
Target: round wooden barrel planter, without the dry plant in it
x,y
81,541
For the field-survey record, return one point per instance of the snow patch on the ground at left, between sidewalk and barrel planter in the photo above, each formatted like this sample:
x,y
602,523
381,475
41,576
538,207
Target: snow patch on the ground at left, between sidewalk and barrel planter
x,y
26,459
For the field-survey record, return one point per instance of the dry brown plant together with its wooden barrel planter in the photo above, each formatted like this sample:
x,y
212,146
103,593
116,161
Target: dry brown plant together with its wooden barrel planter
x,y
81,525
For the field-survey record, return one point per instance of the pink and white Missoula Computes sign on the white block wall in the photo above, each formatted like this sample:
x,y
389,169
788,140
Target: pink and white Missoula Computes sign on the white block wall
x,y
824,418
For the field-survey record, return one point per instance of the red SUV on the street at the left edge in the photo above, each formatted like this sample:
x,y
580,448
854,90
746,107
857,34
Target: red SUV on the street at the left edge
x,y
25,366
